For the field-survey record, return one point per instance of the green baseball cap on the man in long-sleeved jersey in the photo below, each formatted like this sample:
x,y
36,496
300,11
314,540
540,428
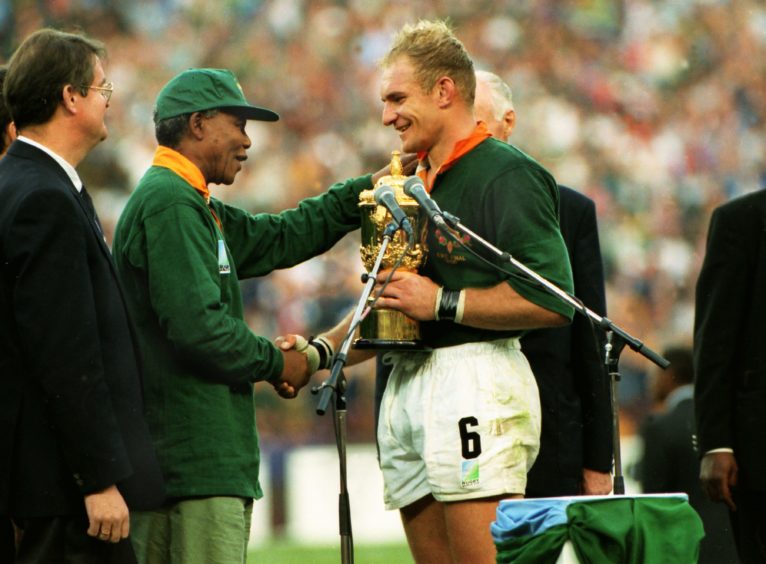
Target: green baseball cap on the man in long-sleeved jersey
x,y
197,90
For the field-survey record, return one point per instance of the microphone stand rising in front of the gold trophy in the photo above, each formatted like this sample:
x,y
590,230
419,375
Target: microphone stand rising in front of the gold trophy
x,y
336,384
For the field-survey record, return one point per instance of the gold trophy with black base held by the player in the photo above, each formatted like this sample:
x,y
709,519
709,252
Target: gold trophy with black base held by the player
x,y
387,329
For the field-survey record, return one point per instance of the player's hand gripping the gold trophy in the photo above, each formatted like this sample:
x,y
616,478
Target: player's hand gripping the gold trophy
x,y
410,293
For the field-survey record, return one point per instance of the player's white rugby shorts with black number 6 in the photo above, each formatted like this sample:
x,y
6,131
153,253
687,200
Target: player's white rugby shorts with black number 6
x,y
460,423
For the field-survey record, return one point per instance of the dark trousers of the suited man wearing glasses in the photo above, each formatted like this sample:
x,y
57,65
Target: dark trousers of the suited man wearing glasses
x,y
64,540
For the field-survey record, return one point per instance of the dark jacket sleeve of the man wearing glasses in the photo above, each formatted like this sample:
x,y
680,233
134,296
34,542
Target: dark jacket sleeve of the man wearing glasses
x,y
57,325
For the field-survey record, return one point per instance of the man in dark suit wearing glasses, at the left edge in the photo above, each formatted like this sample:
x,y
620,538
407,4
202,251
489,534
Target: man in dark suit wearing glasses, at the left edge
x,y
75,451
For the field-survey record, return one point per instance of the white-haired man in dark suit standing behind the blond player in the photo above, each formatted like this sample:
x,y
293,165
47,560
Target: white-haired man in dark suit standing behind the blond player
x,y
576,441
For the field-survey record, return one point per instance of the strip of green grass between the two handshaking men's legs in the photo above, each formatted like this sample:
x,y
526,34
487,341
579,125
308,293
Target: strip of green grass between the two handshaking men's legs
x,y
287,553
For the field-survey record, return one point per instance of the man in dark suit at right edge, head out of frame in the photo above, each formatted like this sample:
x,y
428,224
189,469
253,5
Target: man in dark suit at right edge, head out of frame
x,y
730,368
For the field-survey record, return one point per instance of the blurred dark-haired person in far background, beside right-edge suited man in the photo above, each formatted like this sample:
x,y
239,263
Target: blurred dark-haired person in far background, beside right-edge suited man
x,y
670,462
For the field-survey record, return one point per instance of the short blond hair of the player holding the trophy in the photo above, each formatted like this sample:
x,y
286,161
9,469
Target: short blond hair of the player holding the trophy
x,y
435,52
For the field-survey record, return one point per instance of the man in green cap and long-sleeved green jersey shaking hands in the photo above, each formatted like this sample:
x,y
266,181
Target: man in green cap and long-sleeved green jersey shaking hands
x,y
180,254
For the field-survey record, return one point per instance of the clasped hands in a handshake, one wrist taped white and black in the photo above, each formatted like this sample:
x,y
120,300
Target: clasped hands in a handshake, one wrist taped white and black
x,y
301,359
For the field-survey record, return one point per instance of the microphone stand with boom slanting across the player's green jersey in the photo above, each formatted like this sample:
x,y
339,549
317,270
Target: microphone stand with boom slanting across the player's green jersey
x,y
616,338
